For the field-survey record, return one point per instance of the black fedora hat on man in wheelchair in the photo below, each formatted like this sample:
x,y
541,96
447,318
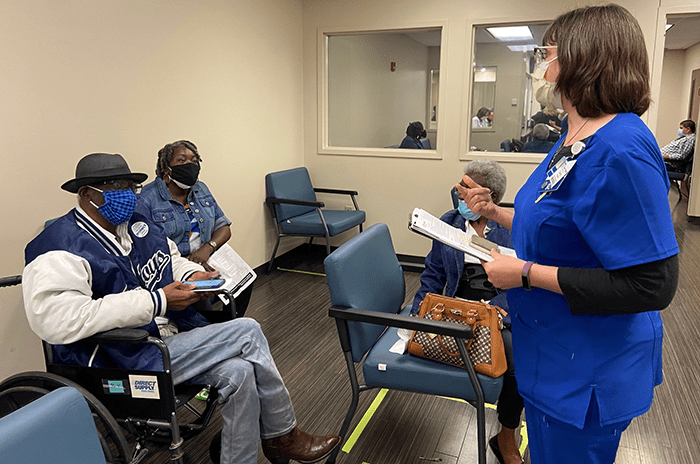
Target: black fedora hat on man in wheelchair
x,y
100,167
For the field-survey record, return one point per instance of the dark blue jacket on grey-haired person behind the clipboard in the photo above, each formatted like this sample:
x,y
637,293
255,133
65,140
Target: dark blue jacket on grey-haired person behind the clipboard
x,y
444,265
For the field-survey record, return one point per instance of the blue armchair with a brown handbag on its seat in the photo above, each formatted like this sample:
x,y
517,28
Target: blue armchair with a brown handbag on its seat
x,y
367,289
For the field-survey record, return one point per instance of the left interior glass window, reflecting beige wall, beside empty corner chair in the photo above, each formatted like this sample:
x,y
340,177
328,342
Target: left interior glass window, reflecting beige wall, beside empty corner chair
x,y
378,83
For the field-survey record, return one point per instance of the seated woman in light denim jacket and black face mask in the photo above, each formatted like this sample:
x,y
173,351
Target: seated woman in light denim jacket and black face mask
x,y
183,205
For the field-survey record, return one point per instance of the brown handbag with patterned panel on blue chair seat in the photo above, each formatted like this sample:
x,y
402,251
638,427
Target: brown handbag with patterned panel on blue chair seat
x,y
485,350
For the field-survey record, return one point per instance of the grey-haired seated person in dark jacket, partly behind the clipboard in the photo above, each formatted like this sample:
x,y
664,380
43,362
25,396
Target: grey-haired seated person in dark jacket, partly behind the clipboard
x,y
453,273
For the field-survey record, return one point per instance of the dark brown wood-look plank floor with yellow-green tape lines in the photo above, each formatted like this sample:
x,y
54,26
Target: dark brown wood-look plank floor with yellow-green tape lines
x,y
292,309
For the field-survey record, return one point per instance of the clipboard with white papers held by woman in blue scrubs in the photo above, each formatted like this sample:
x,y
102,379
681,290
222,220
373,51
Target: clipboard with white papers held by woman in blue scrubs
x,y
424,223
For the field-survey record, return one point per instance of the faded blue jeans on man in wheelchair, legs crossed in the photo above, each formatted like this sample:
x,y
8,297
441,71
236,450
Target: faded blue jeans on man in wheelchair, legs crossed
x,y
234,357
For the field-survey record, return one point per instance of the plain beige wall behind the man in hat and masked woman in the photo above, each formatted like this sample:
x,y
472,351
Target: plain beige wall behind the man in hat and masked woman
x,y
80,76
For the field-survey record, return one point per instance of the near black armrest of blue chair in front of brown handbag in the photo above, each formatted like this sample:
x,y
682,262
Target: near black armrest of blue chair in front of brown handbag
x,y
403,322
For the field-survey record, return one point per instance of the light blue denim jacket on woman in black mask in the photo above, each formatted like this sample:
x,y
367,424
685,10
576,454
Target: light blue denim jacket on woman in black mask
x,y
156,202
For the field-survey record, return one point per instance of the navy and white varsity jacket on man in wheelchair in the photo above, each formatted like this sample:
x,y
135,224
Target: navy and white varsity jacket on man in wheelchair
x,y
80,280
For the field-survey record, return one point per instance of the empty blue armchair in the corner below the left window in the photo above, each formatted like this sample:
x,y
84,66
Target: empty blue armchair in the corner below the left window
x,y
296,211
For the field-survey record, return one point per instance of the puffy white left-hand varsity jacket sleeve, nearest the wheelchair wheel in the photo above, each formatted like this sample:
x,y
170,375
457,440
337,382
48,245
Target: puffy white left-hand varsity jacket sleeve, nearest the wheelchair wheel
x,y
57,289
